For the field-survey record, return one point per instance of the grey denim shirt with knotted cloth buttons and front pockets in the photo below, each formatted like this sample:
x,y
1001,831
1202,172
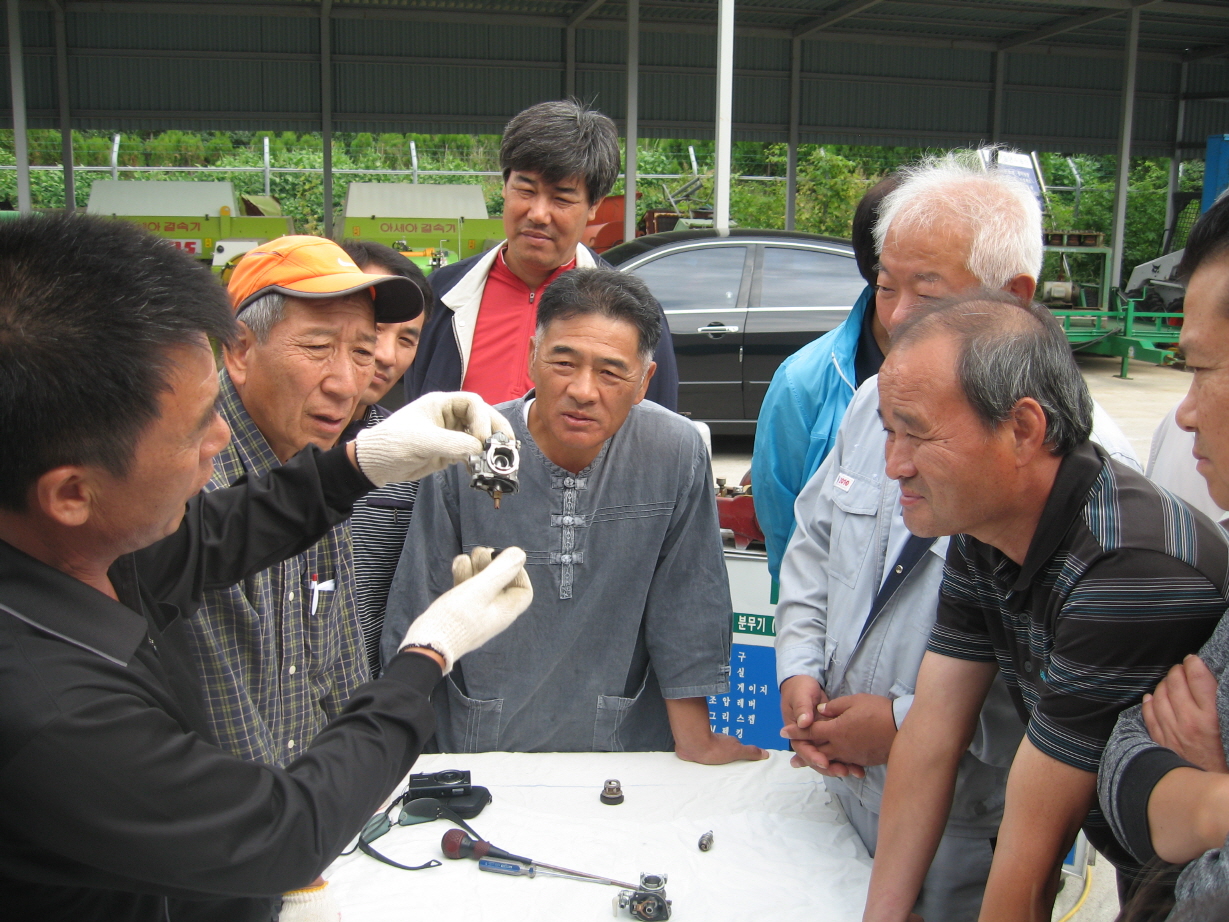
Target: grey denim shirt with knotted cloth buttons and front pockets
x,y
631,599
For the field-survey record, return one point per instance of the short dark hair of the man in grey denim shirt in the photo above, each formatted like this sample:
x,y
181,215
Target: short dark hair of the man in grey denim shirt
x,y
613,294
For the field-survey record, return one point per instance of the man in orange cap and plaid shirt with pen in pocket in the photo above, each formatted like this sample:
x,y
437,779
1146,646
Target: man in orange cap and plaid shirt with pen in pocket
x,y
280,655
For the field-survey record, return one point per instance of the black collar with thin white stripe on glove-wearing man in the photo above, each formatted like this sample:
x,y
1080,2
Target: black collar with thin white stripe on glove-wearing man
x,y
57,604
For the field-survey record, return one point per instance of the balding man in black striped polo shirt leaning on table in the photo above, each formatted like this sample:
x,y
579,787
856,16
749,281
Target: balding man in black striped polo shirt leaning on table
x,y
1070,573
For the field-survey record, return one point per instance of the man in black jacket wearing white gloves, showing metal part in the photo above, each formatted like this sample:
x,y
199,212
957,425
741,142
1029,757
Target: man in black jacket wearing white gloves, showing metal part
x,y
117,803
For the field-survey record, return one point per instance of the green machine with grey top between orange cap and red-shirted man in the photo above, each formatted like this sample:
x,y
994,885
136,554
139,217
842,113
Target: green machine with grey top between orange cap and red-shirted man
x,y
432,224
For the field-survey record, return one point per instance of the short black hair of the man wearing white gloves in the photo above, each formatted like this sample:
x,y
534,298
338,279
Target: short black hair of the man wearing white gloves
x,y
89,309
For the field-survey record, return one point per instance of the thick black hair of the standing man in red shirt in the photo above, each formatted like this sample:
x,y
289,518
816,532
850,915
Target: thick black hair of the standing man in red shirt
x,y
560,140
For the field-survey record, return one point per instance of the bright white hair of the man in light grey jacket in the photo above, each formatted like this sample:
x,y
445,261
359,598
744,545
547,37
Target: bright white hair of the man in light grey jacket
x,y
1001,213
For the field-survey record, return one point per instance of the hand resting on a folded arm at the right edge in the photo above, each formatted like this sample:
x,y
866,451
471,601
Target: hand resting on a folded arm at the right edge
x,y
1182,715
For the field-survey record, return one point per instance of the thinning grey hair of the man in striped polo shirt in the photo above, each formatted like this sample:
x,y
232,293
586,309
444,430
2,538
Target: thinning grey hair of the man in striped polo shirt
x,y
1010,350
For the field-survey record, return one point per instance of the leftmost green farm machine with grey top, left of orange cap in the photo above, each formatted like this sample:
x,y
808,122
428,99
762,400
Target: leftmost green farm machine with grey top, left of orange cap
x,y
203,219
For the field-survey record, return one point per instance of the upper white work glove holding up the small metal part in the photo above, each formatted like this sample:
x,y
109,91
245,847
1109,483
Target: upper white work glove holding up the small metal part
x,y
430,435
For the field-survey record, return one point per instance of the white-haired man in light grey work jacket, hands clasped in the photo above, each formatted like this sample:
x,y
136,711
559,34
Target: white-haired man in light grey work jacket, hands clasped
x,y
858,592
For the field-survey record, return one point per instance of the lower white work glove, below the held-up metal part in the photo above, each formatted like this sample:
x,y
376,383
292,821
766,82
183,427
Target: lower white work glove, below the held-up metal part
x,y
487,596
